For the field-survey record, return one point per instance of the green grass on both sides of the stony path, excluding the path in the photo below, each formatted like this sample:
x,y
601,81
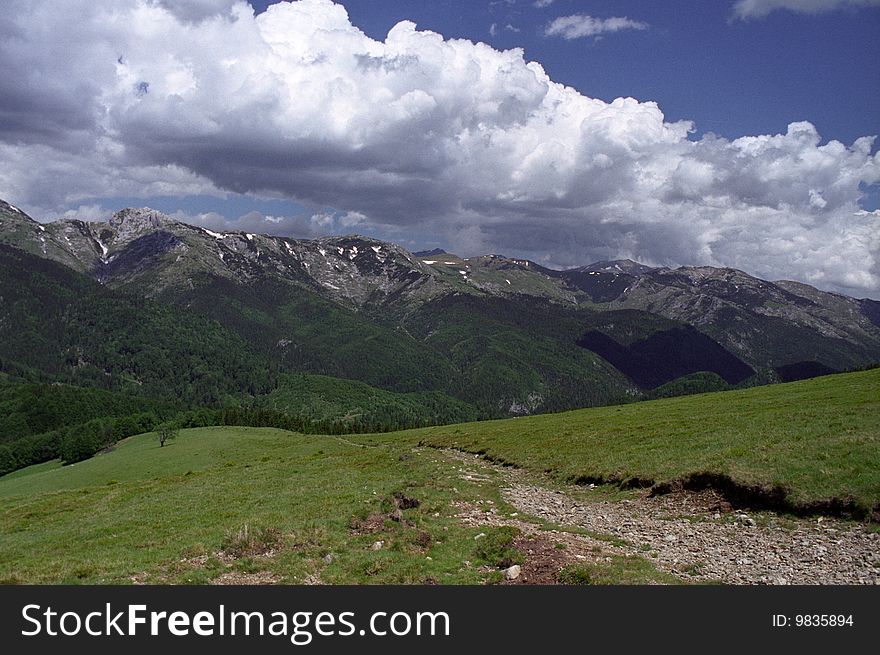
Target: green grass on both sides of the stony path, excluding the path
x,y
154,514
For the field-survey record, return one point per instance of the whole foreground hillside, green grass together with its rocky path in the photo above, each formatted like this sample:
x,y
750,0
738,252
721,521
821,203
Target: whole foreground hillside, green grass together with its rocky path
x,y
302,508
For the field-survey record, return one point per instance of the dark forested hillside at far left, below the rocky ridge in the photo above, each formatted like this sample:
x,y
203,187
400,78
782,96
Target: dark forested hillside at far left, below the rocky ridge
x,y
71,329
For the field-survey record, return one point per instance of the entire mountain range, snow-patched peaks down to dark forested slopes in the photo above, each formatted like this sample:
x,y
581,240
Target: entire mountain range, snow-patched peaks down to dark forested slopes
x,y
143,304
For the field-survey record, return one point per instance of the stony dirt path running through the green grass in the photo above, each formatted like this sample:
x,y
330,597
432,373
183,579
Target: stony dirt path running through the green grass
x,y
696,535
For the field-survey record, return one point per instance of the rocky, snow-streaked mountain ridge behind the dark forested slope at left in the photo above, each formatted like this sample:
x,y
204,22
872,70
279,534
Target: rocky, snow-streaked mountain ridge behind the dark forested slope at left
x,y
273,290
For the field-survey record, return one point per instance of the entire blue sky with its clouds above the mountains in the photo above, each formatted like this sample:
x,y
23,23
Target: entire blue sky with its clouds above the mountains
x,y
726,133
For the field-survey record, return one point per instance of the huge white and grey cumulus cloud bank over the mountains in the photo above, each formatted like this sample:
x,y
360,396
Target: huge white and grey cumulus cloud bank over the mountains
x,y
417,136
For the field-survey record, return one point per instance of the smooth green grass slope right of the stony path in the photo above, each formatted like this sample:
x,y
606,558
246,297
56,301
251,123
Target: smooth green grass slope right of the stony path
x,y
817,439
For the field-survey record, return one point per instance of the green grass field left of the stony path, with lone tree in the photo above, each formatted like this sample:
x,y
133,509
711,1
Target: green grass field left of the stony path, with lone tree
x,y
160,514
